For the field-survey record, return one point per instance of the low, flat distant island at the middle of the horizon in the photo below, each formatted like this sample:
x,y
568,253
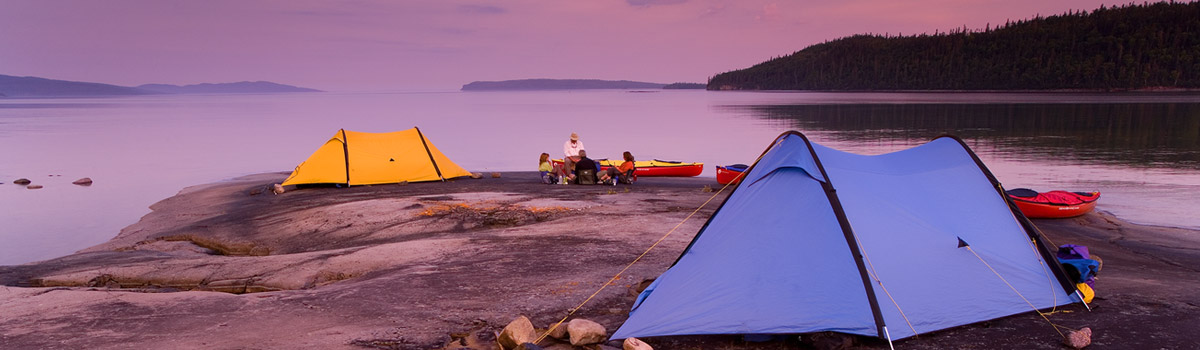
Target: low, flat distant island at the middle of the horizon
x,y
572,85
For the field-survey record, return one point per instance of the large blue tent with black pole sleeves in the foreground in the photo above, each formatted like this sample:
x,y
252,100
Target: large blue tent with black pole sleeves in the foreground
x,y
892,246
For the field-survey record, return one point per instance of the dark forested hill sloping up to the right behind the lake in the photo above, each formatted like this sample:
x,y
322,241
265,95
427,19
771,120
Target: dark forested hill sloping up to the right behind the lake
x,y
1121,49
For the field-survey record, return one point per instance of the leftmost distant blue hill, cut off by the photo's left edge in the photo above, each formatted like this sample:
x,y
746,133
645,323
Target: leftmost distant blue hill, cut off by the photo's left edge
x,y
34,87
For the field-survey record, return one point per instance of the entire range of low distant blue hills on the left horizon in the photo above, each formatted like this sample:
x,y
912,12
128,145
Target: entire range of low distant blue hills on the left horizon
x,y
33,87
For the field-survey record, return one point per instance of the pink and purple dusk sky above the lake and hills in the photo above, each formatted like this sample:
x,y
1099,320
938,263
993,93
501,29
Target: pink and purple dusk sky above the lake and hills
x,y
377,45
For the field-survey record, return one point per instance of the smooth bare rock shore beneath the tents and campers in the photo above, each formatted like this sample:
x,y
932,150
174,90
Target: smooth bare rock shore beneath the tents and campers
x,y
447,265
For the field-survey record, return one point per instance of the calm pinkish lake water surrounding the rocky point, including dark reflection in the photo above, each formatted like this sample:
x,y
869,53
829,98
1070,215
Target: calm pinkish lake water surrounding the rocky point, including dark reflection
x,y
1142,152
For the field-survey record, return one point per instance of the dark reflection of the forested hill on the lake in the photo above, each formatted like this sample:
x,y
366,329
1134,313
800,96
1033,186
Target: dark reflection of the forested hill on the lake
x,y
1136,135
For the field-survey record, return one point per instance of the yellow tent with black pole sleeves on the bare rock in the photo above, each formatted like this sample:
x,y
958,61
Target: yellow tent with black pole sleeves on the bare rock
x,y
370,159
